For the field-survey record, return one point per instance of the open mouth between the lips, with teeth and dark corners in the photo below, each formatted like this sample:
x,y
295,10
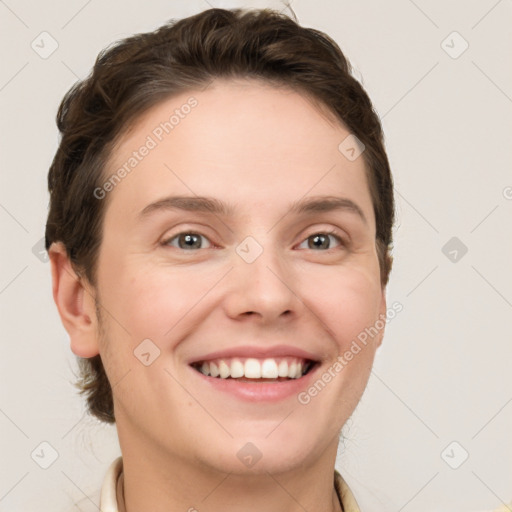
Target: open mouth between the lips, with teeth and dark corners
x,y
254,370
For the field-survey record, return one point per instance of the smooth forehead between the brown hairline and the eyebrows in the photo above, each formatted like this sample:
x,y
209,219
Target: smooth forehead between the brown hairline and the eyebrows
x,y
266,143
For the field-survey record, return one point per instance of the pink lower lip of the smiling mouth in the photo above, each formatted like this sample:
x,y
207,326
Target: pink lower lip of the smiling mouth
x,y
259,391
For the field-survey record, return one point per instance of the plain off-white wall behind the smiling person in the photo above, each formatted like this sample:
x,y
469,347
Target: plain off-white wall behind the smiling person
x,y
443,373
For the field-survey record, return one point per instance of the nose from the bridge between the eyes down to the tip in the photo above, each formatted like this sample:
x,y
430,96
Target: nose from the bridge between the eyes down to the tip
x,y
262,280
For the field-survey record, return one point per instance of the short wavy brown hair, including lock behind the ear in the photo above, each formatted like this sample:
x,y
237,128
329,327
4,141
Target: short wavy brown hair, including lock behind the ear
x,y
140,71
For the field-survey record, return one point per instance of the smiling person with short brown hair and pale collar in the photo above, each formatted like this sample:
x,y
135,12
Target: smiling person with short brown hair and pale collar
x,y
219,231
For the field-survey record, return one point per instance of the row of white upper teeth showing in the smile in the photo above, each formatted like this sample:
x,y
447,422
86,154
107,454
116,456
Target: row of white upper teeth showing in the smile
x,y
252,368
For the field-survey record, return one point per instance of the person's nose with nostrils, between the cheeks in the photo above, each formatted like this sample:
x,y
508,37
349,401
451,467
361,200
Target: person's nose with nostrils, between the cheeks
x,y
261,290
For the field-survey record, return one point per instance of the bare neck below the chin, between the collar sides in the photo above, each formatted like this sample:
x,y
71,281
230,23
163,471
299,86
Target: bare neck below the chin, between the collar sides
x,y
160,481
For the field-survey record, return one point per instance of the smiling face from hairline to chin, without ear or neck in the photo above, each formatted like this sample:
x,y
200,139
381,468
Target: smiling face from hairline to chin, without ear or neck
x,y
245,278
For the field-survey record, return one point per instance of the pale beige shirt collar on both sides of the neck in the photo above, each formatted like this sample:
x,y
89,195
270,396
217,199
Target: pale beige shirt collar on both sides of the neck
x,y
112,486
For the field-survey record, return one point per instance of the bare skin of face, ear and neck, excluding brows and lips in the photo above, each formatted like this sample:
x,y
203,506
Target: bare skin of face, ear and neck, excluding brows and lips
x,y
259,148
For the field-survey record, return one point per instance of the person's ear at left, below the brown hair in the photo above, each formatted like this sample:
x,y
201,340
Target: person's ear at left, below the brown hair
x,y
75,302
